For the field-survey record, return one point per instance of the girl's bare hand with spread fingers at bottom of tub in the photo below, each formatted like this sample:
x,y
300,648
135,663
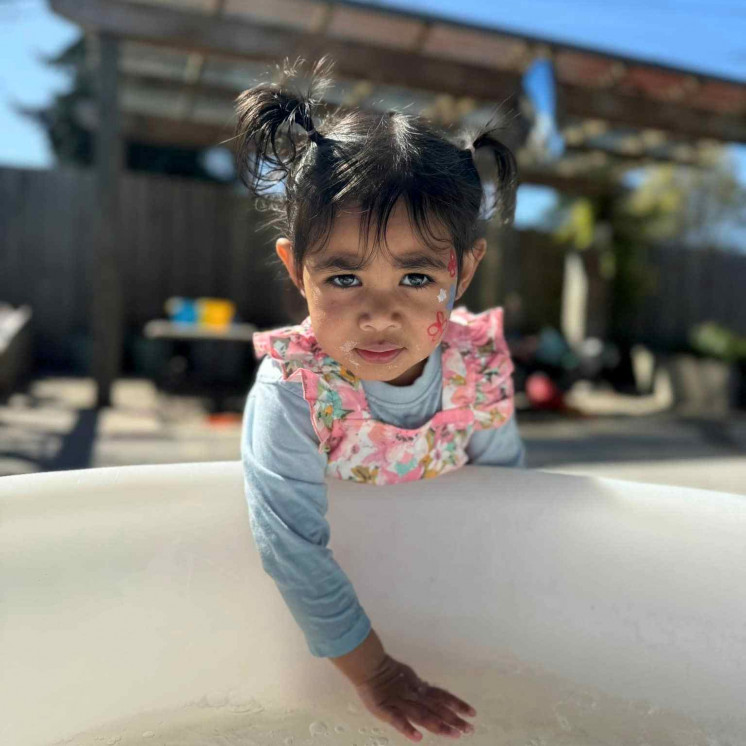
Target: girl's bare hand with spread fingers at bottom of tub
x,y
396,695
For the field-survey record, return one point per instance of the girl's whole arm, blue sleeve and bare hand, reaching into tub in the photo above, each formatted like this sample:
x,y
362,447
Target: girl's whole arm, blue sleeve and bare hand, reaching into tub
x,y
284,477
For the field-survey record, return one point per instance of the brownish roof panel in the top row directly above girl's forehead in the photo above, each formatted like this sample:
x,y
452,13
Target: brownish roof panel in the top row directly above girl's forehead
x,y
374,27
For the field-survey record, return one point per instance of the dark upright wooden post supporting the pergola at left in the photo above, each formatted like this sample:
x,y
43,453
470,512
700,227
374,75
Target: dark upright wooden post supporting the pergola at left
x,y
106,322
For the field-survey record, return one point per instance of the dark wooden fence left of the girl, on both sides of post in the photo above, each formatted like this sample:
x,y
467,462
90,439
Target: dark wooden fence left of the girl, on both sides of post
x,y
178,237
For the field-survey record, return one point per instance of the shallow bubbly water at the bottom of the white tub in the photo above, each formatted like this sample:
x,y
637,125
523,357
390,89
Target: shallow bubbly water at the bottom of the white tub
x,y
517,705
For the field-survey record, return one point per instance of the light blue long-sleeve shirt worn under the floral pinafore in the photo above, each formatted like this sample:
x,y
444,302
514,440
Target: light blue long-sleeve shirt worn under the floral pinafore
x,y
285,486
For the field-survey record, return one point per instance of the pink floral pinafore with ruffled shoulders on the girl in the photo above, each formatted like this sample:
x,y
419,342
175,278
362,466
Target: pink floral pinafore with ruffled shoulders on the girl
x,y
477,395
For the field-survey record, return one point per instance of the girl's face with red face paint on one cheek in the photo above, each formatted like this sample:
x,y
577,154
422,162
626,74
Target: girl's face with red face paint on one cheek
x,y
401,308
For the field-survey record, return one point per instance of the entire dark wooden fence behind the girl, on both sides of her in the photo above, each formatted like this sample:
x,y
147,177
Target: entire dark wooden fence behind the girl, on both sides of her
x,y
181,237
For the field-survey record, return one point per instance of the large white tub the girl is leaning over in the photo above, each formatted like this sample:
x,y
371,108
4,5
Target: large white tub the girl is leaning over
x,y
570,611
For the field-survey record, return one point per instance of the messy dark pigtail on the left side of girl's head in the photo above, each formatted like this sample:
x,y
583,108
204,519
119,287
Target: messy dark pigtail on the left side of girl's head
x,y
268,144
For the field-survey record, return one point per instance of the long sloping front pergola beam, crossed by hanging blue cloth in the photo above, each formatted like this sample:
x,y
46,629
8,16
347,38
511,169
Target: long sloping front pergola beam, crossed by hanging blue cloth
x,y
234,38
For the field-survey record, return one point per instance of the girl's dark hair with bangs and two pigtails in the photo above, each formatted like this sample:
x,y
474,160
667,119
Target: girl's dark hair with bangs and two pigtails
x,y
364,160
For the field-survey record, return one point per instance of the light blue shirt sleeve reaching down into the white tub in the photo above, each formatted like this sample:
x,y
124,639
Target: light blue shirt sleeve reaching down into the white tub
x,y
285,488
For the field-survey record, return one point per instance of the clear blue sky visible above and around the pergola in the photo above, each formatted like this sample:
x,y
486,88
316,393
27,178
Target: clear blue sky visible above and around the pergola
x,y
708,36
